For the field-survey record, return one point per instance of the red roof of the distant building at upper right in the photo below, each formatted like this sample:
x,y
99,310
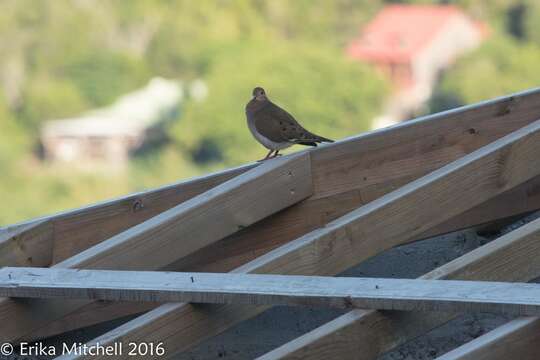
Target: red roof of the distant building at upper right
x,y
398,32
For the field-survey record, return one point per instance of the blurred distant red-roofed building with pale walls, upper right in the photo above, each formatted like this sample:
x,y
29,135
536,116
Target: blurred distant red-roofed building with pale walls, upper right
x,y
411,44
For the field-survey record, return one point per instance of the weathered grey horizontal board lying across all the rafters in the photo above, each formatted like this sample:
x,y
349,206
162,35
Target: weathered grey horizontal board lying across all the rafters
x,y
519,299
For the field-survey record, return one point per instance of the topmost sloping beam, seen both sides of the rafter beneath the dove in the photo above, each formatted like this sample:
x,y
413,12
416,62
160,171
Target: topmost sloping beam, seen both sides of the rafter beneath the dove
x,y
391,157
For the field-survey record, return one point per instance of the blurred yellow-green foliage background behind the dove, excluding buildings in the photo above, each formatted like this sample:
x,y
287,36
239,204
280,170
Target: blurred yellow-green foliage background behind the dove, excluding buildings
x,y
60,58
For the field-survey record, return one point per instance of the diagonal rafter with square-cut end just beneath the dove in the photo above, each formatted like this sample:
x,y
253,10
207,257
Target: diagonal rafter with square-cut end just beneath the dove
x,y
177,232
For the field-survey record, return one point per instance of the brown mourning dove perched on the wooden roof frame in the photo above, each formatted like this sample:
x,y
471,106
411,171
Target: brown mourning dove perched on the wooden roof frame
x,y
274,127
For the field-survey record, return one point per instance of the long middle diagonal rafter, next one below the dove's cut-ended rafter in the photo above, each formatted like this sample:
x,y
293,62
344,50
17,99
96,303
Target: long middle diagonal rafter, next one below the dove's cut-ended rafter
x,y
388,221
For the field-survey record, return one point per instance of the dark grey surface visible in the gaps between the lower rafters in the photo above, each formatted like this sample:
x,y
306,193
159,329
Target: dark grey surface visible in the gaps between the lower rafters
x,y
280,324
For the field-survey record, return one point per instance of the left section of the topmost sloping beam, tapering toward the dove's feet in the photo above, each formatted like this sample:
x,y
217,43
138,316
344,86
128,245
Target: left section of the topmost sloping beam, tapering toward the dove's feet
x,y
51,239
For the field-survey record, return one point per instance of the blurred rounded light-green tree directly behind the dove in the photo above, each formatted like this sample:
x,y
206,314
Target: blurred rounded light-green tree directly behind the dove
x,y
326,92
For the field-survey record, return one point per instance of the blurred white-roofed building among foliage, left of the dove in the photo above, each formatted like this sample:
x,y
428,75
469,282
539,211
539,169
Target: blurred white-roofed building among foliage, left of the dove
x,y
111,134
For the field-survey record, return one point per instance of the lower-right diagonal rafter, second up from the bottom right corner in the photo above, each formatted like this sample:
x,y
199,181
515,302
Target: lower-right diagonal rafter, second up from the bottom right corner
x,y
366,335
